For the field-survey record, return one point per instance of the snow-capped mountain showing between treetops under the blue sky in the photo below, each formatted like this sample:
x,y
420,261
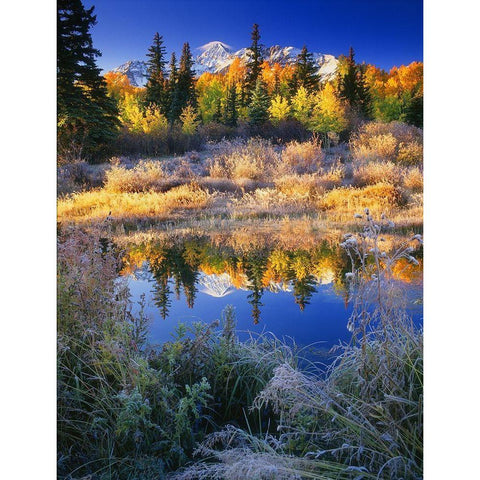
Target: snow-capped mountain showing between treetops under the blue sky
x,y
216,57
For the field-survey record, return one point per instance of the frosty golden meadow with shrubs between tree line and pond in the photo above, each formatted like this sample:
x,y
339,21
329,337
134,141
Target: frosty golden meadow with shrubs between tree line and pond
x,y
246,179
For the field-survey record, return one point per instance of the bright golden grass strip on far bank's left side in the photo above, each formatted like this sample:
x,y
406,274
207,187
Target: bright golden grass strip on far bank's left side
x,y
98,204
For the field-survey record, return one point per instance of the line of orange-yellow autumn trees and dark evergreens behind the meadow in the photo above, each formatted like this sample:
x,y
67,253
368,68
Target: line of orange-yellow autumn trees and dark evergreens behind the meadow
x,y
176,109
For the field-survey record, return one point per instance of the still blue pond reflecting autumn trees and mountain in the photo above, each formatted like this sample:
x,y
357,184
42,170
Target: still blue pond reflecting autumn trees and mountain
x,y
298,294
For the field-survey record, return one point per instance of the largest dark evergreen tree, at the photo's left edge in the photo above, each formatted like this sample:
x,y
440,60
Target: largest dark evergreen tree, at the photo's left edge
x,y
87,117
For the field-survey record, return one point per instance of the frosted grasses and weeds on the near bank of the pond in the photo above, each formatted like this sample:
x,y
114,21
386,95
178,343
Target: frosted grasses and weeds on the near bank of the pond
x,y
247,409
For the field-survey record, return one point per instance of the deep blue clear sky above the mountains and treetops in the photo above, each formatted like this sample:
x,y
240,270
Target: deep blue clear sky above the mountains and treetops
x,y
383,32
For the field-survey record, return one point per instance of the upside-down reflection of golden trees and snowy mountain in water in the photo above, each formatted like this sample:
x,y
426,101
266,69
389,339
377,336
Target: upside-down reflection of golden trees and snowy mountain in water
x,y
185,267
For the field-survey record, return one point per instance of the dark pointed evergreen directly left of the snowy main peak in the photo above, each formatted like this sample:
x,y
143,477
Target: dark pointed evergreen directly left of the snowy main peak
x,y
184,93
